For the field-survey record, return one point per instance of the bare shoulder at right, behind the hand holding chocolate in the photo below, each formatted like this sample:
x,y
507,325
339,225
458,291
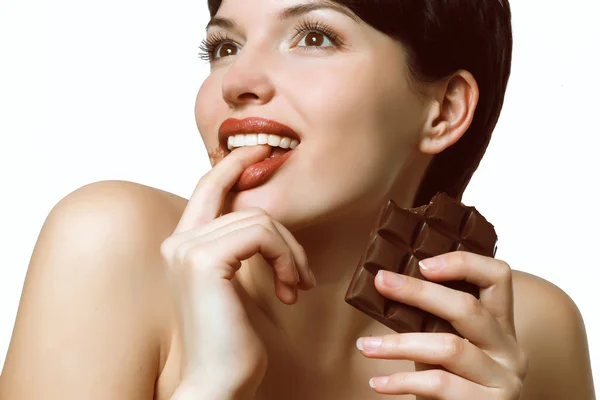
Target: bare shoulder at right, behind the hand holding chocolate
x,y
551,330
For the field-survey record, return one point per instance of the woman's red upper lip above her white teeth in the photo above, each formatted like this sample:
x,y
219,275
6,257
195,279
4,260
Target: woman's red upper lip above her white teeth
x,y
232,126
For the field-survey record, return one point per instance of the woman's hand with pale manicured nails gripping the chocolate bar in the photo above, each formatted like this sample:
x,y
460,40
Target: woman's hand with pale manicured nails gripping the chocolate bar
x,y
488,364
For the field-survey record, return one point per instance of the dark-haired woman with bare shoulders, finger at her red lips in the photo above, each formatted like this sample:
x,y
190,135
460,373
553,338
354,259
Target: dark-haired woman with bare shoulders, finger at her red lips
x,y
134,293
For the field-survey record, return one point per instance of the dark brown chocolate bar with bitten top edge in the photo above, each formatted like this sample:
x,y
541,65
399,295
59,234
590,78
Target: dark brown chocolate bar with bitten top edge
x,y
403,237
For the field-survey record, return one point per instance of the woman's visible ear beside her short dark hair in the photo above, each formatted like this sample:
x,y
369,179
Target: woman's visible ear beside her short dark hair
x,y
450,112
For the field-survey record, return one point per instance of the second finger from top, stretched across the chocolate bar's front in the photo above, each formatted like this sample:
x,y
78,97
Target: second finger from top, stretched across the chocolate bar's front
x,y
460,309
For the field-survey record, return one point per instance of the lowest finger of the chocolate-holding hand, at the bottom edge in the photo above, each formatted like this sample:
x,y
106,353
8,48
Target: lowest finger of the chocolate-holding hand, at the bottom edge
x,y
433,384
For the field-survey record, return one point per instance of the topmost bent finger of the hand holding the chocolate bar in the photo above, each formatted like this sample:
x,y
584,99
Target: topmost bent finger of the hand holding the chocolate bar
x,y
494,277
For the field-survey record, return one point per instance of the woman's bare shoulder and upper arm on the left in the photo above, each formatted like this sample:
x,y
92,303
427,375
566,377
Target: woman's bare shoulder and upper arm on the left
x,y
94,320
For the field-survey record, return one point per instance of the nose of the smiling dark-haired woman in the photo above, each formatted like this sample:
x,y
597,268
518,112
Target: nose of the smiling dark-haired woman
x,y
247,81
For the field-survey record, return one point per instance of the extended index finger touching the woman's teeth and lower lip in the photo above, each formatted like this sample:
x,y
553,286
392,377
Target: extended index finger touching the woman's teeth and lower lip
x,y
207,200
